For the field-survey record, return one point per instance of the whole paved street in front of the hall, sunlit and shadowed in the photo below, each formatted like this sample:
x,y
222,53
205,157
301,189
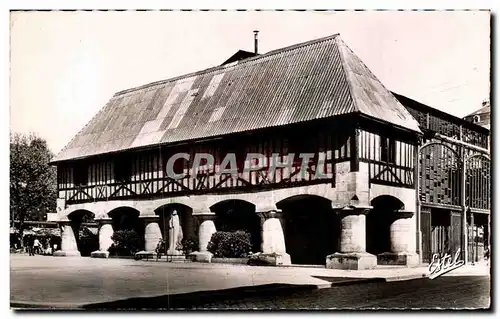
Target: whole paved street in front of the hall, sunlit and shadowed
x,y
85,282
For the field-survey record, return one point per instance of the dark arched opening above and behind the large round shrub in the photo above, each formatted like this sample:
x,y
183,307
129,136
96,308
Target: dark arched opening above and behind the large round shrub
x,y
234,215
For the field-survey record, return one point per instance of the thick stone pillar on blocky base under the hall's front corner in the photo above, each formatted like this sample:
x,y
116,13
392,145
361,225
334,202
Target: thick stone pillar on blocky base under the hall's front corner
x,y
352,253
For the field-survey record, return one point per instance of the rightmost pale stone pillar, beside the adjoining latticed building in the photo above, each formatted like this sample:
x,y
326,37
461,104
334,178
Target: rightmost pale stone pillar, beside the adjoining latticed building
x,y
403,243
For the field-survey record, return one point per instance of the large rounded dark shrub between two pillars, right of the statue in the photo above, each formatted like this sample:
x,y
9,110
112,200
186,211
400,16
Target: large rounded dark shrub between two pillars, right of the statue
x,y
230,244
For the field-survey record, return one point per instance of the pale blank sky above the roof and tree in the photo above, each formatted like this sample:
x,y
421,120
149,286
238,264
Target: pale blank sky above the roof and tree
x,y
65,66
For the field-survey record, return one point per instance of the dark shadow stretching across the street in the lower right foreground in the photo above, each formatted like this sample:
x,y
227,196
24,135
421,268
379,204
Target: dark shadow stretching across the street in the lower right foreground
x,y
444,292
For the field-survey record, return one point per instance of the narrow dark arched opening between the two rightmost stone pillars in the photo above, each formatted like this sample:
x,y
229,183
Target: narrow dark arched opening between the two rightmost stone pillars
x,y
378,223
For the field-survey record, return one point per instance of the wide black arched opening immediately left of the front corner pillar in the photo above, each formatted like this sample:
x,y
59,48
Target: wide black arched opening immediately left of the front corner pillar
x,y
312,229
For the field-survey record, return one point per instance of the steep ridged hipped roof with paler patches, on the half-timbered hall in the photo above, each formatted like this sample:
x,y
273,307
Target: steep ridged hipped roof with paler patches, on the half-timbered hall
x,y
312,80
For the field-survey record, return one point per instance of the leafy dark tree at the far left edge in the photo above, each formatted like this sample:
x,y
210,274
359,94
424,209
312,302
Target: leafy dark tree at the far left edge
x,y
33,181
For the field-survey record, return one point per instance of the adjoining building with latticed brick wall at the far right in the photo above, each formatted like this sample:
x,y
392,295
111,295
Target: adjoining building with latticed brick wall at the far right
x,y
454,177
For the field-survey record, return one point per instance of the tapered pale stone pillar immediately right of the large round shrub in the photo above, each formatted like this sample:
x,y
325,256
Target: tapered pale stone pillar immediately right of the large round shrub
x,y
273,237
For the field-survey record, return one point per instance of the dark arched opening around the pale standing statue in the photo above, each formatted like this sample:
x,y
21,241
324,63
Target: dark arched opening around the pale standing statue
x,y
189,225
